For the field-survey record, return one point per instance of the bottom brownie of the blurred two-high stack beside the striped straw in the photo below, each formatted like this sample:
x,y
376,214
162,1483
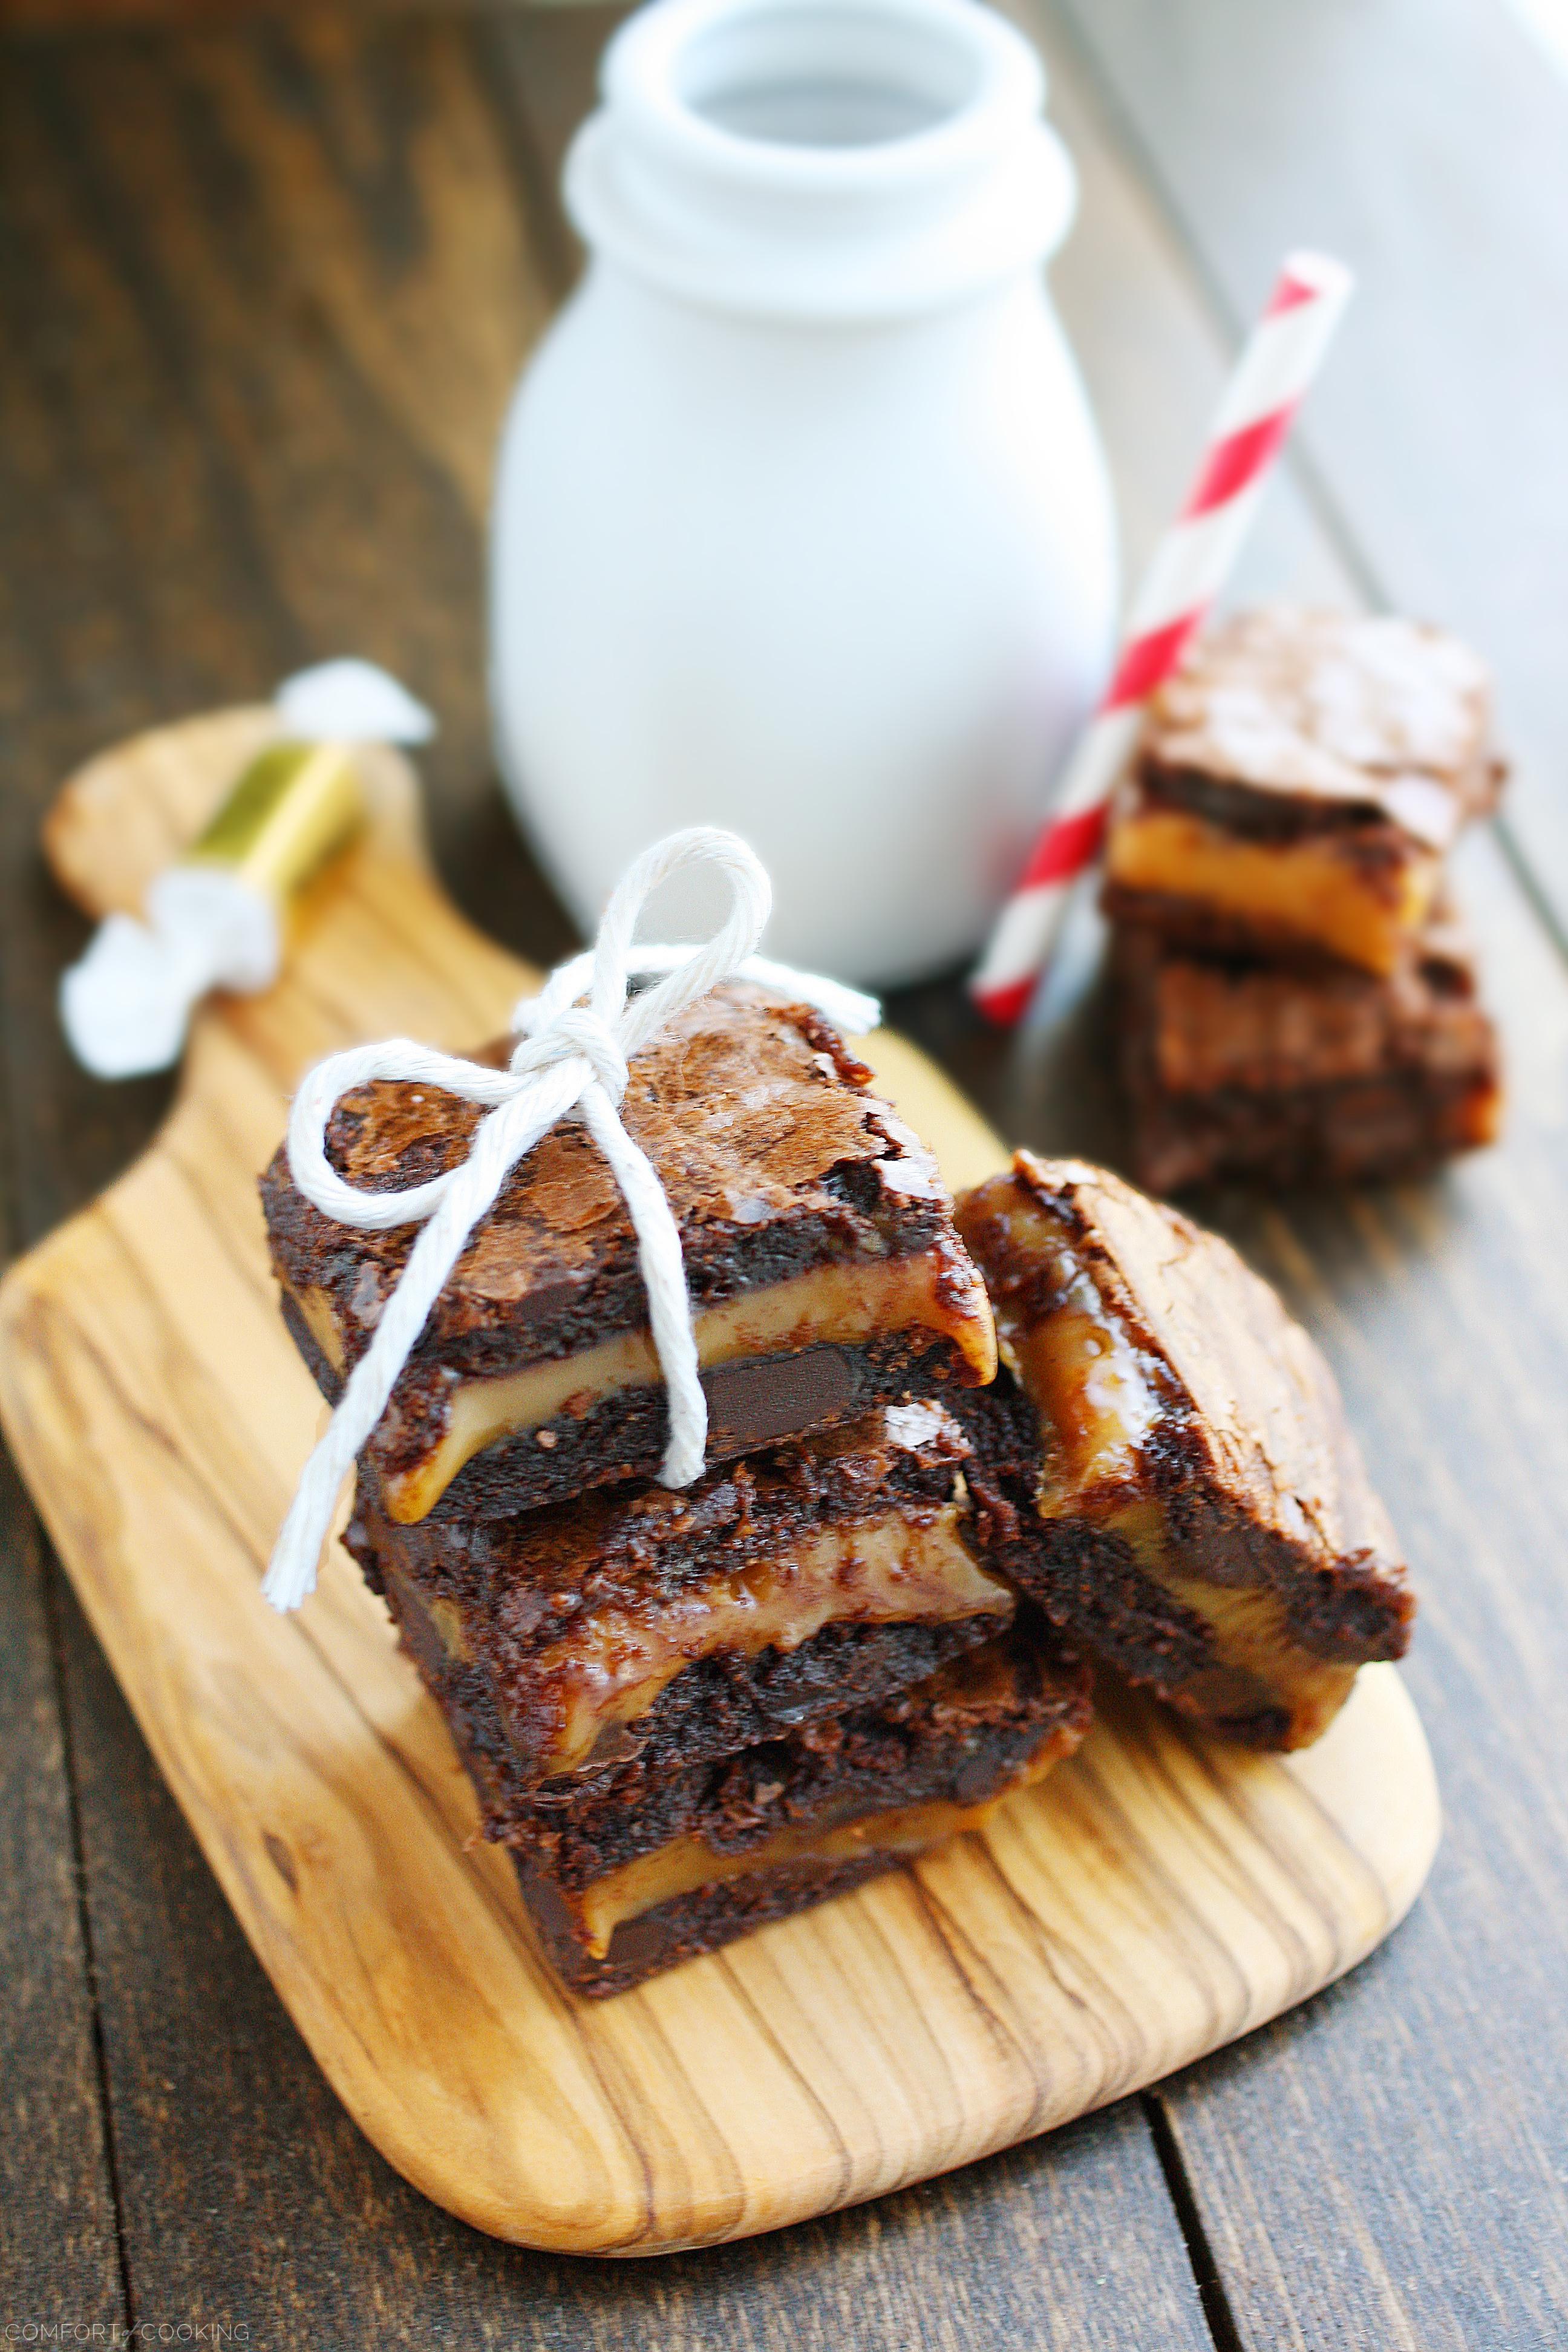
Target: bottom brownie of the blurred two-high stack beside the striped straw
x,y
1280,1076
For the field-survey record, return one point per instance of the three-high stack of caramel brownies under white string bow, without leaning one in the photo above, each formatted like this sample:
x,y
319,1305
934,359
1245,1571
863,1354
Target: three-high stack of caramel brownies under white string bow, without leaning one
x,y
692,1711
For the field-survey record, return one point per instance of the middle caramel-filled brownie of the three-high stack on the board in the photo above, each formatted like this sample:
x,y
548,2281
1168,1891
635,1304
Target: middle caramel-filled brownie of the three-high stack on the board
x,y
683,1626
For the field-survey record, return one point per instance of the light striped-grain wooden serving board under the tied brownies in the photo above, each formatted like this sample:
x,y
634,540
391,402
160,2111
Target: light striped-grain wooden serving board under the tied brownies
x,y
1155,1899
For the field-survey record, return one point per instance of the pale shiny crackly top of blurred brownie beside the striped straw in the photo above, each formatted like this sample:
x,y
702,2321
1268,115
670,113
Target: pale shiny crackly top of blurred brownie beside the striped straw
x,y
1327,716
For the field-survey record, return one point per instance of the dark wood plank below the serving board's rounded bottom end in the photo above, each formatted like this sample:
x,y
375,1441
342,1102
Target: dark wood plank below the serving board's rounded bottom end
x,y
253,2198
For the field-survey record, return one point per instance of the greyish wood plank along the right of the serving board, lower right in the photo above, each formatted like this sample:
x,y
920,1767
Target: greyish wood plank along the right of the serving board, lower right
x,y
1421,2196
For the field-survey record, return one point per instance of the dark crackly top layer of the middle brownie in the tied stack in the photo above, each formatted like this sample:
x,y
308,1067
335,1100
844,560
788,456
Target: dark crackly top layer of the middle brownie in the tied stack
x,y
643,1544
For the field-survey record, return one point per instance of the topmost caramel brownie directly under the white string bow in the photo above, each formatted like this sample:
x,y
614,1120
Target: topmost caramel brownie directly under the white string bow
x,y
819,1252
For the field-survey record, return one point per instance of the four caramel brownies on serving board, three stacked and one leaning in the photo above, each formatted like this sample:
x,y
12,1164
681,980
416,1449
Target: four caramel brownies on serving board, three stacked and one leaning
x,y
953,1452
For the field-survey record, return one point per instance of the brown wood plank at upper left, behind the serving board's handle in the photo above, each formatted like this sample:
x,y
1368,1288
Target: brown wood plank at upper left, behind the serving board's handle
x,y
297,255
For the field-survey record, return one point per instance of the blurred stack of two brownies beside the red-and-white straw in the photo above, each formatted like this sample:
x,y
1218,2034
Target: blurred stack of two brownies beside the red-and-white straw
x,y
1294,991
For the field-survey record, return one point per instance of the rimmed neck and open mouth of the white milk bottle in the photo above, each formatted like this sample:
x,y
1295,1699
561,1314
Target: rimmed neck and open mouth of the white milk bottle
x,y
822,159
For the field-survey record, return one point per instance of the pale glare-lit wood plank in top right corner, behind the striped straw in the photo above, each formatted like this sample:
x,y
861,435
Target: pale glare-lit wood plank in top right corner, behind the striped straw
x,y
1428,145
